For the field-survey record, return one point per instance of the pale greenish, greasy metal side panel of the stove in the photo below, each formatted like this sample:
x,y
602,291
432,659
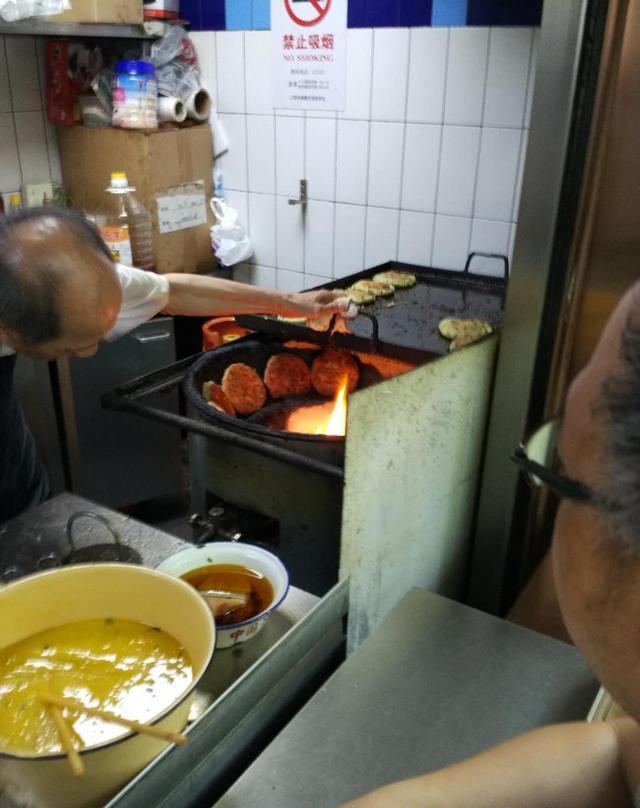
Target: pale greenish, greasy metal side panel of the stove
x,y
411,471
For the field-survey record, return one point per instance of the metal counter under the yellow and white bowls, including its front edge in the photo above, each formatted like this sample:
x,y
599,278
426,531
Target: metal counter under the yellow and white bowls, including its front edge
x,y
248,691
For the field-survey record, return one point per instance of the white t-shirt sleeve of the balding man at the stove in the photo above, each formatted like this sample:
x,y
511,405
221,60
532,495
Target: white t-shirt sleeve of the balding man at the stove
x,y
144,294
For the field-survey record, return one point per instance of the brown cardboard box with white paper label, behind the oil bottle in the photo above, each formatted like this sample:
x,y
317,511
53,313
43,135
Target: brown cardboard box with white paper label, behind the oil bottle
x,y
163,164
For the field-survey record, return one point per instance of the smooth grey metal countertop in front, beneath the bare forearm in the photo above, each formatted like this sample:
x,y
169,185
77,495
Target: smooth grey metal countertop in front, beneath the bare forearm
x,y
437,682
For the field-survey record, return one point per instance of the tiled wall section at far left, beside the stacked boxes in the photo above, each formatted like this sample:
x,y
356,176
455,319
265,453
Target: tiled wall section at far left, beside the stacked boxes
x,y
28,144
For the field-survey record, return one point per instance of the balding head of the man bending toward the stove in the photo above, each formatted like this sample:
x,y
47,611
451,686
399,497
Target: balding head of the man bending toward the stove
x,y
59,293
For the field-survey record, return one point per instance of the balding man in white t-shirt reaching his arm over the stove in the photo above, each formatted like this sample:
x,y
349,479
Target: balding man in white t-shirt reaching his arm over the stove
x,y
61,295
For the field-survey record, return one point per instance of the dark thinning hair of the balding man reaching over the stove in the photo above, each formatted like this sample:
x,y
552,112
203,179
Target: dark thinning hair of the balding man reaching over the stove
x,y
29,293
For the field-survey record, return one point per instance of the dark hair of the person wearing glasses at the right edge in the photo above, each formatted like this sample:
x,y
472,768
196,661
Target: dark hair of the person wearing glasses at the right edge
x,y
619,402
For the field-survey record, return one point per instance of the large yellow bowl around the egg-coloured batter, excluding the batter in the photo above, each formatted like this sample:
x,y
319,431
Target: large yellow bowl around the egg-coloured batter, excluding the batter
x,y
87,592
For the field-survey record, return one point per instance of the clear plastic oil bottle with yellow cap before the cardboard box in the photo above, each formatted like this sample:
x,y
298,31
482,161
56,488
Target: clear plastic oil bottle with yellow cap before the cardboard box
x,y
125,224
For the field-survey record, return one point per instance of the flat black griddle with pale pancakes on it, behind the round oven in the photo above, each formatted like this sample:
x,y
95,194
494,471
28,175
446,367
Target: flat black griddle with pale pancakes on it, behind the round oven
x,y
407,330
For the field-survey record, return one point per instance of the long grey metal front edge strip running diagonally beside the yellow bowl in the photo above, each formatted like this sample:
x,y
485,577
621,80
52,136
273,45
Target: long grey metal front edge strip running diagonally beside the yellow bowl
x,y
248,713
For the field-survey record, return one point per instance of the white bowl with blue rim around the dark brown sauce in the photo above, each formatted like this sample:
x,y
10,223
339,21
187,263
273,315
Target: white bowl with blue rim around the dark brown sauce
x,y
229,552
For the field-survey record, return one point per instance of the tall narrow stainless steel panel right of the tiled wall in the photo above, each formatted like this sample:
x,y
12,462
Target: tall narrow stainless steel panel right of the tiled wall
x,y
553,107
